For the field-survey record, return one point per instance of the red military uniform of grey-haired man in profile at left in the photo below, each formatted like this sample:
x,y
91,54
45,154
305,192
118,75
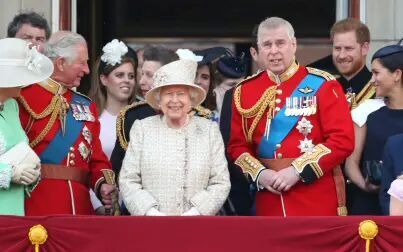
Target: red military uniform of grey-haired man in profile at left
x,y
63,129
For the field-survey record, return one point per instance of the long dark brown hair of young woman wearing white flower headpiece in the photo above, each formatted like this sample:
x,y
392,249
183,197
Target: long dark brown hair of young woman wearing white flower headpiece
x,y
98,91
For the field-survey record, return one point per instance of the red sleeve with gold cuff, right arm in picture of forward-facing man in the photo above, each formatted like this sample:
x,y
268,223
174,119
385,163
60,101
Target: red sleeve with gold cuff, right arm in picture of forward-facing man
x,y
337,132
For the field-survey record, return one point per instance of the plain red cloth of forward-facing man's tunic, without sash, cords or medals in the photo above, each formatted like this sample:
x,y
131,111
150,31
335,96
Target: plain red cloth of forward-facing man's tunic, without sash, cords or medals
x,y
332,127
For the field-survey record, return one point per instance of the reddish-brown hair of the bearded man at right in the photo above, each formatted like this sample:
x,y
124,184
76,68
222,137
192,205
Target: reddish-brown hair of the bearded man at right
x,y
351,24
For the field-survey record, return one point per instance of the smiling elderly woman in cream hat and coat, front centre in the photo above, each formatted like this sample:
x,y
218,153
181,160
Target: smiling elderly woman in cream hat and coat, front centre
x,y
175,163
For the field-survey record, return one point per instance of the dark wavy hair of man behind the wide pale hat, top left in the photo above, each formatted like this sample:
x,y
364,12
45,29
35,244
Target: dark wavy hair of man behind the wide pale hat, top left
x,y
32,18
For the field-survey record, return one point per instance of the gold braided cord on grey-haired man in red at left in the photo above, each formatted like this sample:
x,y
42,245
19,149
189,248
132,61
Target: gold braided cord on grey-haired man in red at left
x,y
55,108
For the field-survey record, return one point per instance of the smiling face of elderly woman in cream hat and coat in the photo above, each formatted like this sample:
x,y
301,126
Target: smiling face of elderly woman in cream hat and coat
x,y
175,102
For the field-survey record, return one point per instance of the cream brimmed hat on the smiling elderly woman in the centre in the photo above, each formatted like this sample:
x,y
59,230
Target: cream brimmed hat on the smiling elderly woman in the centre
x,y
179,72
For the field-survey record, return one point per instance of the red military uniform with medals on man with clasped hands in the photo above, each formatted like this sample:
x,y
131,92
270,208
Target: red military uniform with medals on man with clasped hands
x,y
315,151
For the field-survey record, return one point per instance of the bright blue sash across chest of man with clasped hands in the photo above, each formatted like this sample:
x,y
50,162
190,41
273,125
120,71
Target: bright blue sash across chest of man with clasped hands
x,y
281,125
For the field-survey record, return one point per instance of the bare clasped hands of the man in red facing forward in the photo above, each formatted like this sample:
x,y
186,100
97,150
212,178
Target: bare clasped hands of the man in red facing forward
x,y
280,181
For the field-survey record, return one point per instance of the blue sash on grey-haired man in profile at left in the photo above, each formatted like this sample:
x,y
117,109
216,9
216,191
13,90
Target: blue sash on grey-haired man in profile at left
x,y
58,149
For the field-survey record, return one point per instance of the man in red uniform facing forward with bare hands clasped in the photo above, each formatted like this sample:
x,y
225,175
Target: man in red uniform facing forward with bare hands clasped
x,y
291,128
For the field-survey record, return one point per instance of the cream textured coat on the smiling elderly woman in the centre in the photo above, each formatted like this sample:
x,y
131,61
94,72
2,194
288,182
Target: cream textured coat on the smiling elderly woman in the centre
x,y
174,170
